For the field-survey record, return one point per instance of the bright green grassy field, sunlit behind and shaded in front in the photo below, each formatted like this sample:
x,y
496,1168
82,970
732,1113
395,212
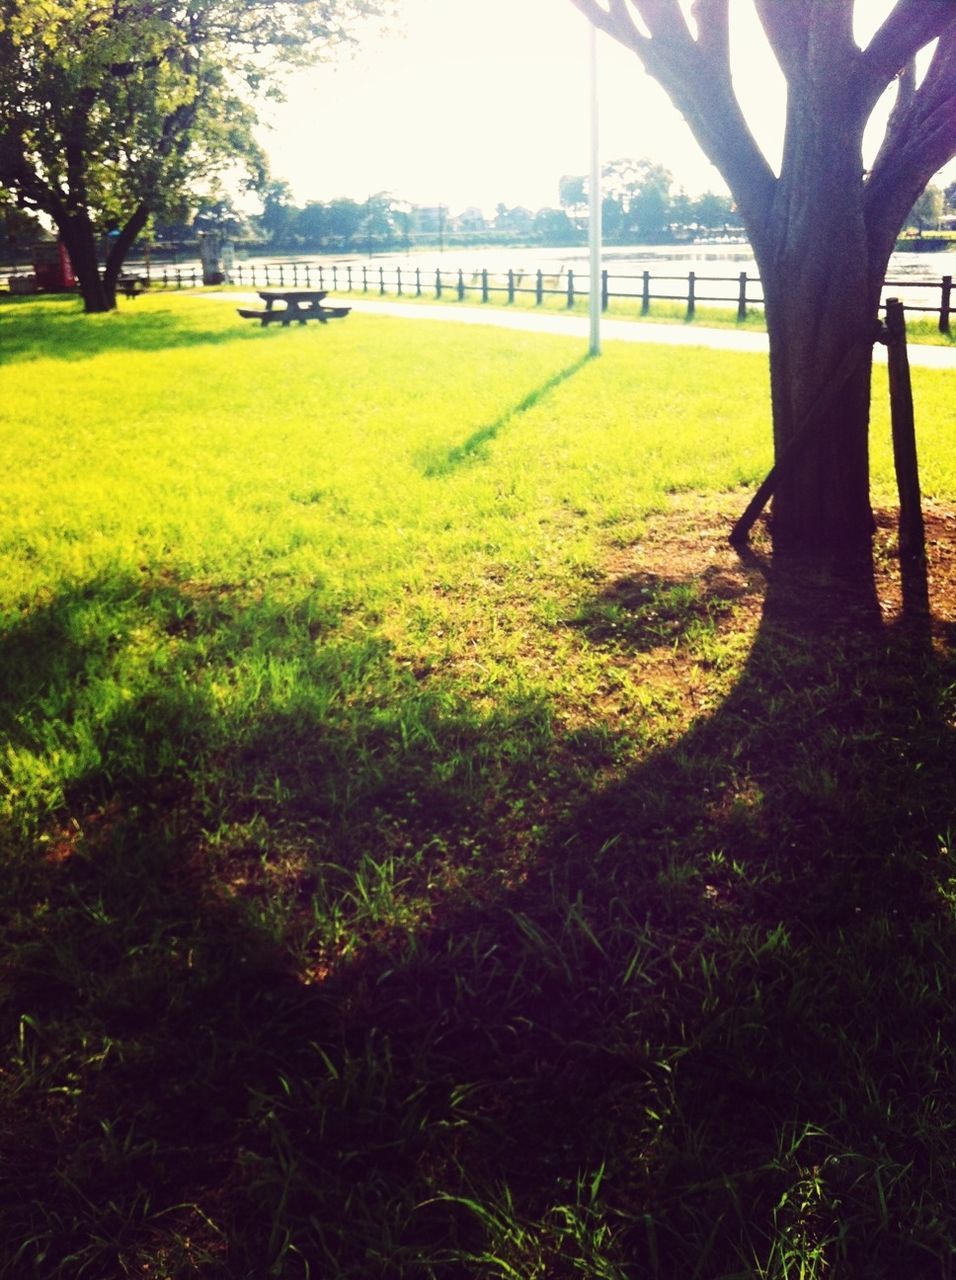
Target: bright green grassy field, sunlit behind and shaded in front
x,y
428,851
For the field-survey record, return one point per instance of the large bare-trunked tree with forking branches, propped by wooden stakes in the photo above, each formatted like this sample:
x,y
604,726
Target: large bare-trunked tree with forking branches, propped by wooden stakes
x,y
824,228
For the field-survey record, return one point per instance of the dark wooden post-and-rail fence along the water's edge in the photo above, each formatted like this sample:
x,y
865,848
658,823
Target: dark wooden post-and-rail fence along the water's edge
x,y
740,291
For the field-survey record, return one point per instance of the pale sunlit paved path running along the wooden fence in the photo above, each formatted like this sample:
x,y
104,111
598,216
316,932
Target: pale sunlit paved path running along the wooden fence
x,y
612,331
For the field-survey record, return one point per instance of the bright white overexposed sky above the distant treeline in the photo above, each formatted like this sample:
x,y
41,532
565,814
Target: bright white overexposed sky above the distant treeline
x,y
479,102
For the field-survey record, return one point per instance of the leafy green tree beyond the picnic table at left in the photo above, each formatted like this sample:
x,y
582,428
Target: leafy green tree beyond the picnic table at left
x,y
109,112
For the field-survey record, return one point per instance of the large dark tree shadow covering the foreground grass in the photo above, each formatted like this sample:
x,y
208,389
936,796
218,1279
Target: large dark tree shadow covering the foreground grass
x,y
694,1023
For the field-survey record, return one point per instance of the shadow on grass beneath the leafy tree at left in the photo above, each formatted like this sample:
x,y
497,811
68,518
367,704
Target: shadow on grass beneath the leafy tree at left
x,y
58,333
